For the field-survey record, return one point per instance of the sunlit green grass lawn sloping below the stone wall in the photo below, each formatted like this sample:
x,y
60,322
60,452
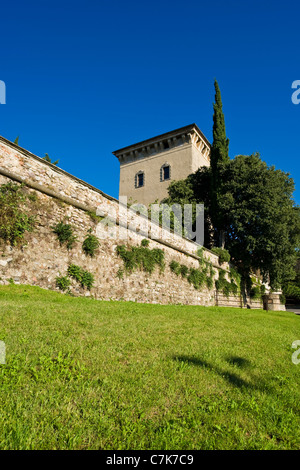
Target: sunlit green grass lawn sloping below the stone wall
x,y
85,374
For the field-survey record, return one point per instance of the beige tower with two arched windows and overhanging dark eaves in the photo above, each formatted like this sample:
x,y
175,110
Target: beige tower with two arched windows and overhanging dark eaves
x,y
148,167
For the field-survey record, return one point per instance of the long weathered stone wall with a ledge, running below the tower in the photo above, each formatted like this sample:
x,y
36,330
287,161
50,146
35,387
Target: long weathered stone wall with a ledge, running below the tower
x,y
61,196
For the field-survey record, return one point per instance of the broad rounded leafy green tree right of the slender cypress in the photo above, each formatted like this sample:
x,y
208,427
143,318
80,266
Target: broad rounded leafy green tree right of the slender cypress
x,y
260,218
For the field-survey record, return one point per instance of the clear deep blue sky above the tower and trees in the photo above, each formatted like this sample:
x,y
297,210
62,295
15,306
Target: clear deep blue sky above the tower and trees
x,y
86,78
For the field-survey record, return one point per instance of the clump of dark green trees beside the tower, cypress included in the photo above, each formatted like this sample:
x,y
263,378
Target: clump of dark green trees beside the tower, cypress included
x,y
247,202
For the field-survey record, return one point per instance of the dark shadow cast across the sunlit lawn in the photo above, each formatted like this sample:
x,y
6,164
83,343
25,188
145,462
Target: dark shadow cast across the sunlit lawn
x,y
230,377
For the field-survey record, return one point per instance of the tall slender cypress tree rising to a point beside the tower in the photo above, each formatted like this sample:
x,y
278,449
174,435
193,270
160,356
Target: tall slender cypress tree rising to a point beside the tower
x,y
219,160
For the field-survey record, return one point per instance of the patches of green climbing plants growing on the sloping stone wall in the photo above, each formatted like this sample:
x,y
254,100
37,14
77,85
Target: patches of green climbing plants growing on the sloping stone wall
x,y
14,222
